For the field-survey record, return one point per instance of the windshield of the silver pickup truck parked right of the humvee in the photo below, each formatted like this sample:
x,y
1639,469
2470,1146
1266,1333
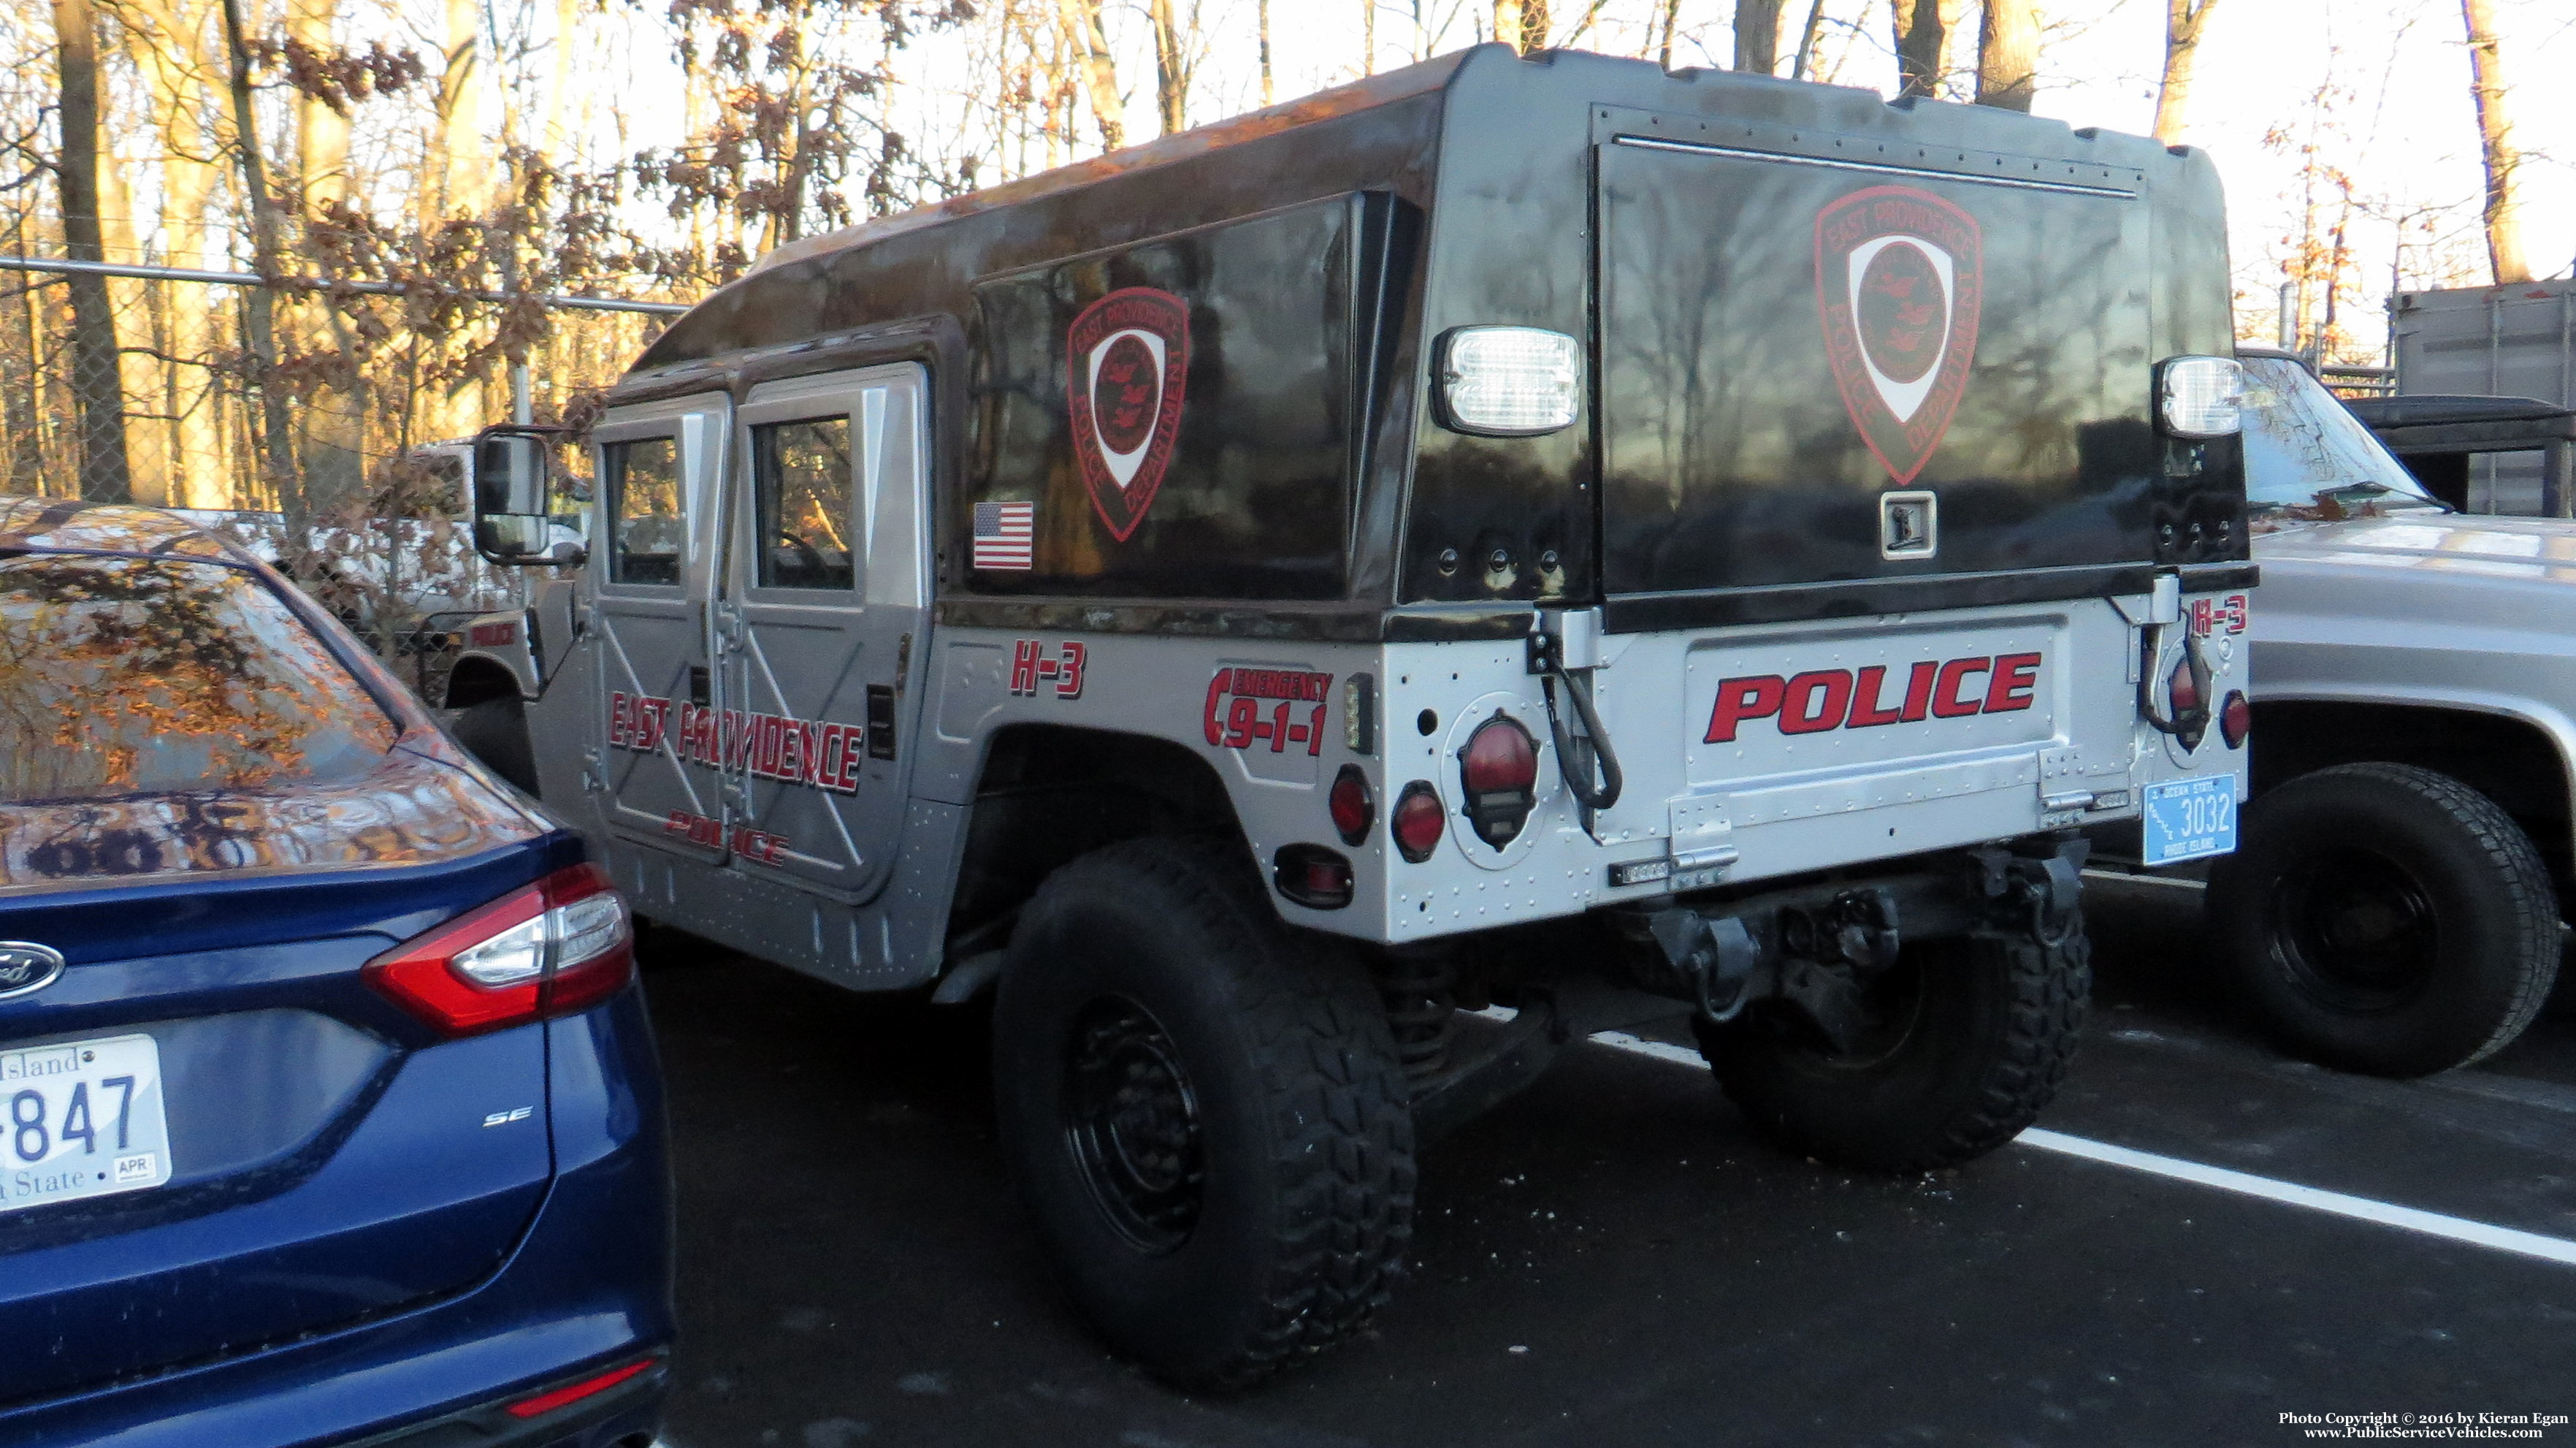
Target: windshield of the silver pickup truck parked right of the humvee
x,y
2312,457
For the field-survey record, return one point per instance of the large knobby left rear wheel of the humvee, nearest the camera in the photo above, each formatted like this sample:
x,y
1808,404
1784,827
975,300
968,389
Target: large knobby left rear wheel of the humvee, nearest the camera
x,y
1302,1207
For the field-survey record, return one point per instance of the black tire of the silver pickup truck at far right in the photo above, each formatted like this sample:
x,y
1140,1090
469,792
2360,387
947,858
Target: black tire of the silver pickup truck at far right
x,y
2387,919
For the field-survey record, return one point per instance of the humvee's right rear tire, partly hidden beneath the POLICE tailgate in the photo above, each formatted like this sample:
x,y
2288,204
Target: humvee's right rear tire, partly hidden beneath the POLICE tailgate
x,y
1969,1042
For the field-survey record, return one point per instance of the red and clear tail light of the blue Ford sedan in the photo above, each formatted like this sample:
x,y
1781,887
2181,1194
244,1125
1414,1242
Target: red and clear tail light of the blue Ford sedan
x,y
547,949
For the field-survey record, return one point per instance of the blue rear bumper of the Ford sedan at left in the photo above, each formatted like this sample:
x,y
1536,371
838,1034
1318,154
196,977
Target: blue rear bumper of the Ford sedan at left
x,y
586,1290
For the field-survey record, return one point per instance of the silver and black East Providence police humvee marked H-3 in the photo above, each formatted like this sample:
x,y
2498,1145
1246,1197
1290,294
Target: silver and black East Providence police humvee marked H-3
x,y
1531,532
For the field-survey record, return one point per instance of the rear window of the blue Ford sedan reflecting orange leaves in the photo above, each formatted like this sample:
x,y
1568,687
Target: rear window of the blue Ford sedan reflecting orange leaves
x,y
158,676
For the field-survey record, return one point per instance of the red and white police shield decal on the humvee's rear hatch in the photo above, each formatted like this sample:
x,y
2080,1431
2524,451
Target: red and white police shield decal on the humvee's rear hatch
x,y
1900,280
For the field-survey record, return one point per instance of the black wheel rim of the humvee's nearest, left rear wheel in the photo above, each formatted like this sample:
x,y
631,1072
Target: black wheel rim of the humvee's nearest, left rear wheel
x,y
1132,1122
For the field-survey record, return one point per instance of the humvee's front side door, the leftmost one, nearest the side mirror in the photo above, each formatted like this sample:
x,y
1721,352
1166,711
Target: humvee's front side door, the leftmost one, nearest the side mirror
x,y
656,728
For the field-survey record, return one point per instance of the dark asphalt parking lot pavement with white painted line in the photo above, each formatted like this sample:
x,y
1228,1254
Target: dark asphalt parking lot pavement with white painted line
x,y
1616,1259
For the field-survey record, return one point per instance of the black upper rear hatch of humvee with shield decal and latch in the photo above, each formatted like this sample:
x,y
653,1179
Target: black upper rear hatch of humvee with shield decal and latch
x,y
1846,362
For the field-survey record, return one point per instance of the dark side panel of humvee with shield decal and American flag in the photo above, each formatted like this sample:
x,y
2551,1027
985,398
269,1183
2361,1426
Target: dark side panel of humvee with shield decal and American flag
x,y
1215,447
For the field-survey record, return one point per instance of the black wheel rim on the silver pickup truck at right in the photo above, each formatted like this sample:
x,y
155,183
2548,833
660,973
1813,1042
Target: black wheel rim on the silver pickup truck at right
x,y
2356,931
